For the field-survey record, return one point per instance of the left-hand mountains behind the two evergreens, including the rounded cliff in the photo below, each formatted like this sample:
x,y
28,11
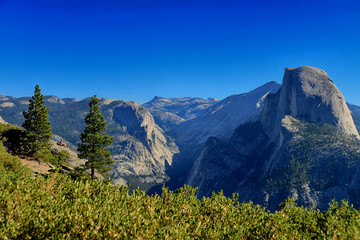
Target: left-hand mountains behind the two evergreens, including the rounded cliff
x,y
141,150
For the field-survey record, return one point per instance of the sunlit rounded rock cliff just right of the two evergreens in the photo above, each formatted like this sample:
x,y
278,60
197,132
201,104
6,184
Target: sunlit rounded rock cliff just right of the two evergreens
x,y
141,148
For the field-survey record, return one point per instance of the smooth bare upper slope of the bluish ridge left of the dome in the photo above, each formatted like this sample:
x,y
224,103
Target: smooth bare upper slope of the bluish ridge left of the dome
x,y
221,119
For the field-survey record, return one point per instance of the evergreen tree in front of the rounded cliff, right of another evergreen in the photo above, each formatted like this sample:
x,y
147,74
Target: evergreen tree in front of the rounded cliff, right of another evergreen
x,y
94,141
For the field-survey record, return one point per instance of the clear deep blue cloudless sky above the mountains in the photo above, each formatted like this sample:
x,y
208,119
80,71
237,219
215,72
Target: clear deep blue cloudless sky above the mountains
x,y
135,50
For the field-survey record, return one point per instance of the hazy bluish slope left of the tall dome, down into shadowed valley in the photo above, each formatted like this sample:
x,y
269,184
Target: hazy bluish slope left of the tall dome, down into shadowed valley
x,y
219,120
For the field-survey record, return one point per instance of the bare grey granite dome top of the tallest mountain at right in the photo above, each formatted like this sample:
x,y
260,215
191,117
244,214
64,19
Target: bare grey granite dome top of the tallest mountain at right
x,y
308,93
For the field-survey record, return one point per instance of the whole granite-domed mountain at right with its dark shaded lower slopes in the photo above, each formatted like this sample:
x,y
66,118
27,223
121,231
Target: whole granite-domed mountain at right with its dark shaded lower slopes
x,y
305,145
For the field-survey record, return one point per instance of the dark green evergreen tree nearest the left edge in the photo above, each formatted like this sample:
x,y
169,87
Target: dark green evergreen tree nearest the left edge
x,y
37,125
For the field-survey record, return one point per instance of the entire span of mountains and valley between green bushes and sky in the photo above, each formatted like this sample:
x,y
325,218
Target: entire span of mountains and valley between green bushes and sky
x,y
298,139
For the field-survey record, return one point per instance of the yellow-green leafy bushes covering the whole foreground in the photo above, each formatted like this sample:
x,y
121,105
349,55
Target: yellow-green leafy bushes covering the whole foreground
x,y
58,207
